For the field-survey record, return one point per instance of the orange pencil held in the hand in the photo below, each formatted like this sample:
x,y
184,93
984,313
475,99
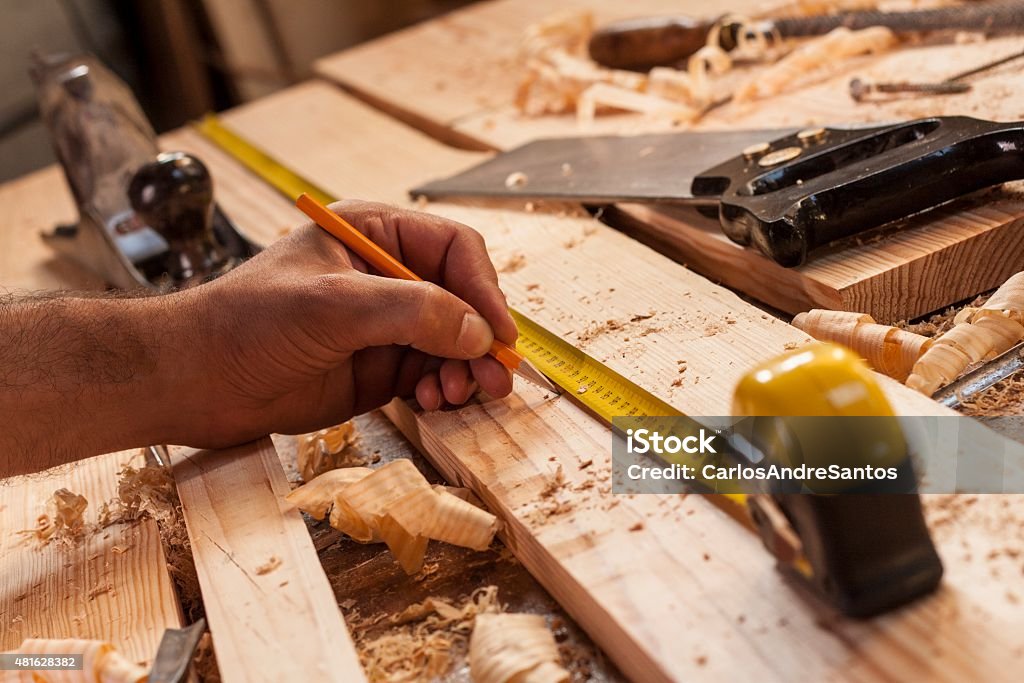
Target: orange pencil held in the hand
x,y
390,266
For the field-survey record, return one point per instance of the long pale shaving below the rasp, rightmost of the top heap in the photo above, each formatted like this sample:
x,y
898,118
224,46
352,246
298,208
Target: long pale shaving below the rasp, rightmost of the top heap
x,y
813,57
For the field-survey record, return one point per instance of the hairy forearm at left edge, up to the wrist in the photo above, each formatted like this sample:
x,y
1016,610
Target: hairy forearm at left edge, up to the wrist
x,y
83,376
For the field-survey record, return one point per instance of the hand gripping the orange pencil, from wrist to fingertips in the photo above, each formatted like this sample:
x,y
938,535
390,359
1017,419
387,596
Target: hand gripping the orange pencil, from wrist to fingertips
x,y
303,336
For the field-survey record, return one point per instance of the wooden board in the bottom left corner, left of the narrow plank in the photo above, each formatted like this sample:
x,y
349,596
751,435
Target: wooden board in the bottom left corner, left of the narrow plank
x,y
112,586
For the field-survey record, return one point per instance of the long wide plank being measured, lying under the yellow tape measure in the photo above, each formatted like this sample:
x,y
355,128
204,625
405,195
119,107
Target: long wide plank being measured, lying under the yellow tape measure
x,y
689,594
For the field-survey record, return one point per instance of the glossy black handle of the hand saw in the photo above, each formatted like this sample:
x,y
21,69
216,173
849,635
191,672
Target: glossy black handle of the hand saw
x,y
804,191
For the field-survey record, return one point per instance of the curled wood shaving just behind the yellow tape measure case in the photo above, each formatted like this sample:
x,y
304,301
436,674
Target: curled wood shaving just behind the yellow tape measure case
x,y
888,350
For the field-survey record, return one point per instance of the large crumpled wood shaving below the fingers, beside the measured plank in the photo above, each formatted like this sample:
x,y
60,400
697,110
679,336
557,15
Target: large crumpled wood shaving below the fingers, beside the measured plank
x,y
396,504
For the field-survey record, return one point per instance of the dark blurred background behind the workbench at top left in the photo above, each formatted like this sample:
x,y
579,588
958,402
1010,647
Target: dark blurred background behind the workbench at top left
x,y
182,58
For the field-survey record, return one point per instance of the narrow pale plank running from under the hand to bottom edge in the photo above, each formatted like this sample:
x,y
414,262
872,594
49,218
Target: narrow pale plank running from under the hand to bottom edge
x,y
269,604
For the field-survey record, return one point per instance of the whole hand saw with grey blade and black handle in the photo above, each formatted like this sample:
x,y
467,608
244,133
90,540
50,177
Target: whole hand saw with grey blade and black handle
x,y
784,192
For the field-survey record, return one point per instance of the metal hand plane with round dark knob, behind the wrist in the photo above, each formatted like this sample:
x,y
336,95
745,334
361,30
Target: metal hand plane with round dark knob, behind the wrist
x,y
146,219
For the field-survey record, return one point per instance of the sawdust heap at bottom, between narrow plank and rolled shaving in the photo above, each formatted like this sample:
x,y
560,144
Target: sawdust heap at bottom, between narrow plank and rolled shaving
x,y
424,642
